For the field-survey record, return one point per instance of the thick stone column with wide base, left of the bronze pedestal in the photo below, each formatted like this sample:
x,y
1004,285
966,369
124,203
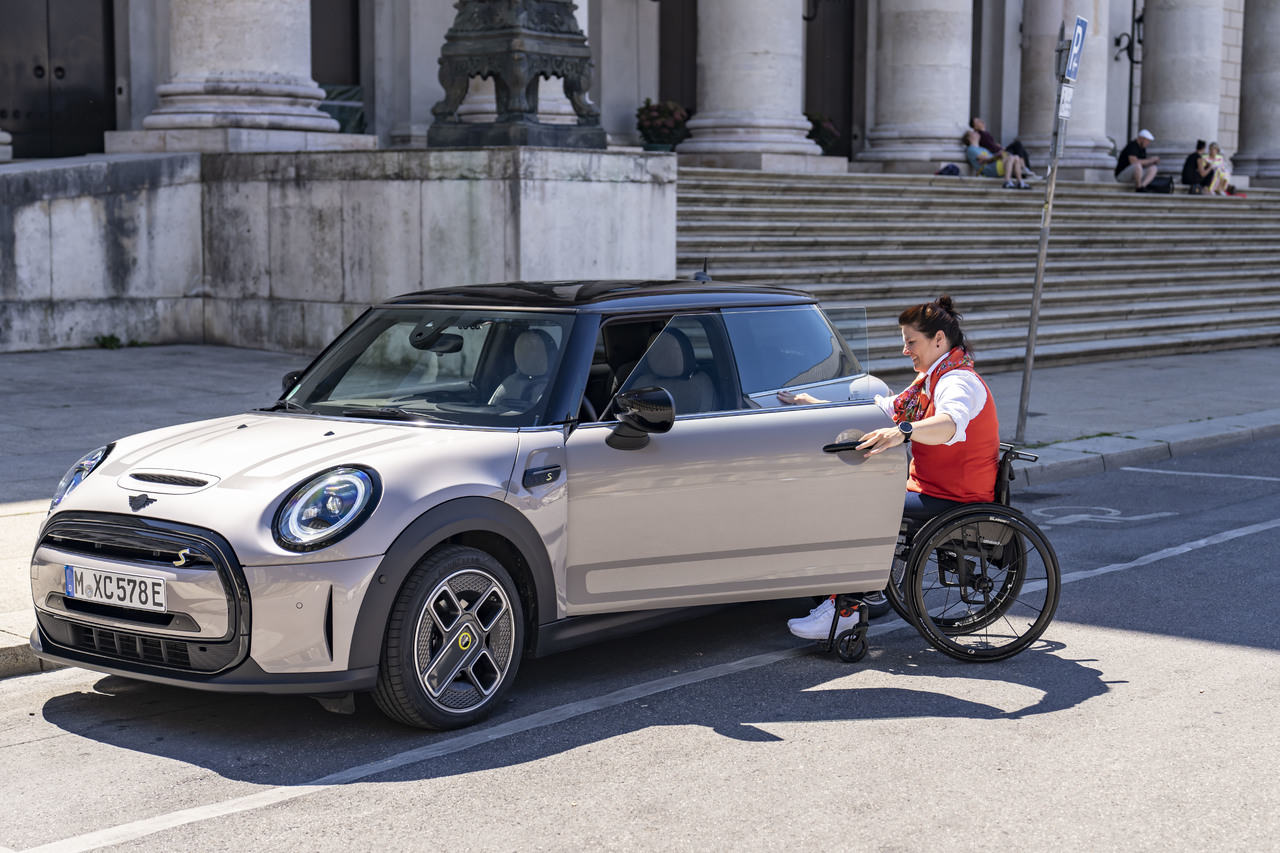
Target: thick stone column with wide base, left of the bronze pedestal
x,y
241,81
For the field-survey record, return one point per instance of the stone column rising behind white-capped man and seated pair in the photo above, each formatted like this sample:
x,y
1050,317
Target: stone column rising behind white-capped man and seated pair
x,y
1182,74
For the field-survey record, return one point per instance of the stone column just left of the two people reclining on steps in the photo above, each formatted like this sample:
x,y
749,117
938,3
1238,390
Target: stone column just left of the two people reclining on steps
x,y
924,67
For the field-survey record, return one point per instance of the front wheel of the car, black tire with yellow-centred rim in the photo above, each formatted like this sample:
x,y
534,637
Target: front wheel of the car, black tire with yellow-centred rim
x,y
454,641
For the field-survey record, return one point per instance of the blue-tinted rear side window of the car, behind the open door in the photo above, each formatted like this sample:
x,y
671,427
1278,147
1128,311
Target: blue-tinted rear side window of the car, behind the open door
x,y
787,348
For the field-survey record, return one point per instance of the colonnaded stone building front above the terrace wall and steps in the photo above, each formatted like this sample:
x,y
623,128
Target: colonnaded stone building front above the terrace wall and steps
x,y
899,77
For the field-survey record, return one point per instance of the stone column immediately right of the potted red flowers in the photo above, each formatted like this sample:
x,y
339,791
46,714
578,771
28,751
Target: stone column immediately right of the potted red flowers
x,y
751,88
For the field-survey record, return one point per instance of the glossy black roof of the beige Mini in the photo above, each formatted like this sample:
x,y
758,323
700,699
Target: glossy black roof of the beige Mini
x,y
611,295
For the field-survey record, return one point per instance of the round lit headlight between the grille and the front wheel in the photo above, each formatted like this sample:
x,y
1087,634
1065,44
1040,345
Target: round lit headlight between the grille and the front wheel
x,y
326,509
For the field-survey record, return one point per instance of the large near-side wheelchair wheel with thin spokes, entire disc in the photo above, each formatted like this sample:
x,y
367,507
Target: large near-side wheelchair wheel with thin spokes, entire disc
x,y
982,583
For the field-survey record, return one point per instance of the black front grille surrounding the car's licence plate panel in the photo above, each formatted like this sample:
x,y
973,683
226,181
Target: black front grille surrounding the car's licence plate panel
x,y
149,541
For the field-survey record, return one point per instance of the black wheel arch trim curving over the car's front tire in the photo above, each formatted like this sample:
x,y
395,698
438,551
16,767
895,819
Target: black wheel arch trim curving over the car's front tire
x,y
441,524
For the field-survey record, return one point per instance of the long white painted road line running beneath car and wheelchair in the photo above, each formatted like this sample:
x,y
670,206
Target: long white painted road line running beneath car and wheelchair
x,y
272,796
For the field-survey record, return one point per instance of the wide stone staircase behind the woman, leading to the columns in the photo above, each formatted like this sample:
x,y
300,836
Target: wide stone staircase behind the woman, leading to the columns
x,y
1126,276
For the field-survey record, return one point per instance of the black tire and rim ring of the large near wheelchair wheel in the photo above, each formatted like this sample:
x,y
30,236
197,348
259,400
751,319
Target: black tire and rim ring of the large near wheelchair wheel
x,y
935,633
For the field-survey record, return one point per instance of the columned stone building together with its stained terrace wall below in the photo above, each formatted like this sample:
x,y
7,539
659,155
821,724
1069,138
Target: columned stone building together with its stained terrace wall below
x,y
281,179
